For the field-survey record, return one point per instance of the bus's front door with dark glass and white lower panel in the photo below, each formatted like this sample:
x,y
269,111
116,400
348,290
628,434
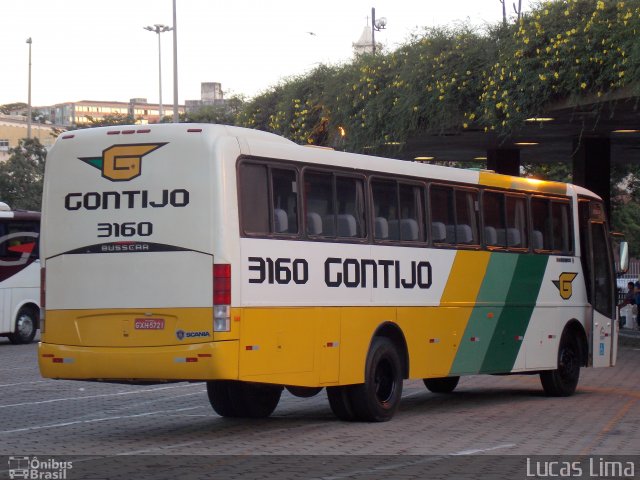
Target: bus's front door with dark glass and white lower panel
x,y
596,257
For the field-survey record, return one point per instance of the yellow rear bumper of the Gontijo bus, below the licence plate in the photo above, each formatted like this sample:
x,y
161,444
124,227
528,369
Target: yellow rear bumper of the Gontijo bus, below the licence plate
x,y
202,361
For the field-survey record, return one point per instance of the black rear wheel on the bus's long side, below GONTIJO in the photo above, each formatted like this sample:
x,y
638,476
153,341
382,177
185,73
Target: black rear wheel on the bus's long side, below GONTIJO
x,y
378,398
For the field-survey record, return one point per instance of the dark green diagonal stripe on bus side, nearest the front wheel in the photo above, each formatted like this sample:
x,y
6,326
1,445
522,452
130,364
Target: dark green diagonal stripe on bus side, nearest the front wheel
x,y
516,314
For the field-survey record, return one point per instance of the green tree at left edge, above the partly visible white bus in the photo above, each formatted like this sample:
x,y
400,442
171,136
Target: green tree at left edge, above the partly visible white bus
x,y
22,174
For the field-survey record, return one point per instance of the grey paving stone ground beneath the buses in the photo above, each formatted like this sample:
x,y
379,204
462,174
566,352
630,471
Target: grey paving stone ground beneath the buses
x,y
488,416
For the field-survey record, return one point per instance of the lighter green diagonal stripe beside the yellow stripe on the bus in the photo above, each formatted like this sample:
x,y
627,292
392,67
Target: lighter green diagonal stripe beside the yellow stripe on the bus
x,y
483,320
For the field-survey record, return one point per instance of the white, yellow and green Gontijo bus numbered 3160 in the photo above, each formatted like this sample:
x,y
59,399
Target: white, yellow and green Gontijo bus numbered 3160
x,y
236,257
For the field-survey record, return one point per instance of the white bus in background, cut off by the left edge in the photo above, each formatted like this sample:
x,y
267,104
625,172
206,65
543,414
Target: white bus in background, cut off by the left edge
x,y
19,274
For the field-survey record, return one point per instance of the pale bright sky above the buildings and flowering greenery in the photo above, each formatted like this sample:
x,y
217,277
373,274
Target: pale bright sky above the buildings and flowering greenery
x,y
99,50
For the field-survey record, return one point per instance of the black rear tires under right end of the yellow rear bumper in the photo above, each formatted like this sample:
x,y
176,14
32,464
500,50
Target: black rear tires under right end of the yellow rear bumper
x,y
231,398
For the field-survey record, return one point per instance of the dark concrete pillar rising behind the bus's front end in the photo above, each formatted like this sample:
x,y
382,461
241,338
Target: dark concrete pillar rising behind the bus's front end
x,y
592,166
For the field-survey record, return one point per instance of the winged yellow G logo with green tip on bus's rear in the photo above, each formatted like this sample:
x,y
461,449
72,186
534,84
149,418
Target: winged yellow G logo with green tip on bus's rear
x,y
121,163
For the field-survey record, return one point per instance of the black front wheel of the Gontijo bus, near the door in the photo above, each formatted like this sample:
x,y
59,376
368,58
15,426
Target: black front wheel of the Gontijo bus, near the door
x,y
562,381
